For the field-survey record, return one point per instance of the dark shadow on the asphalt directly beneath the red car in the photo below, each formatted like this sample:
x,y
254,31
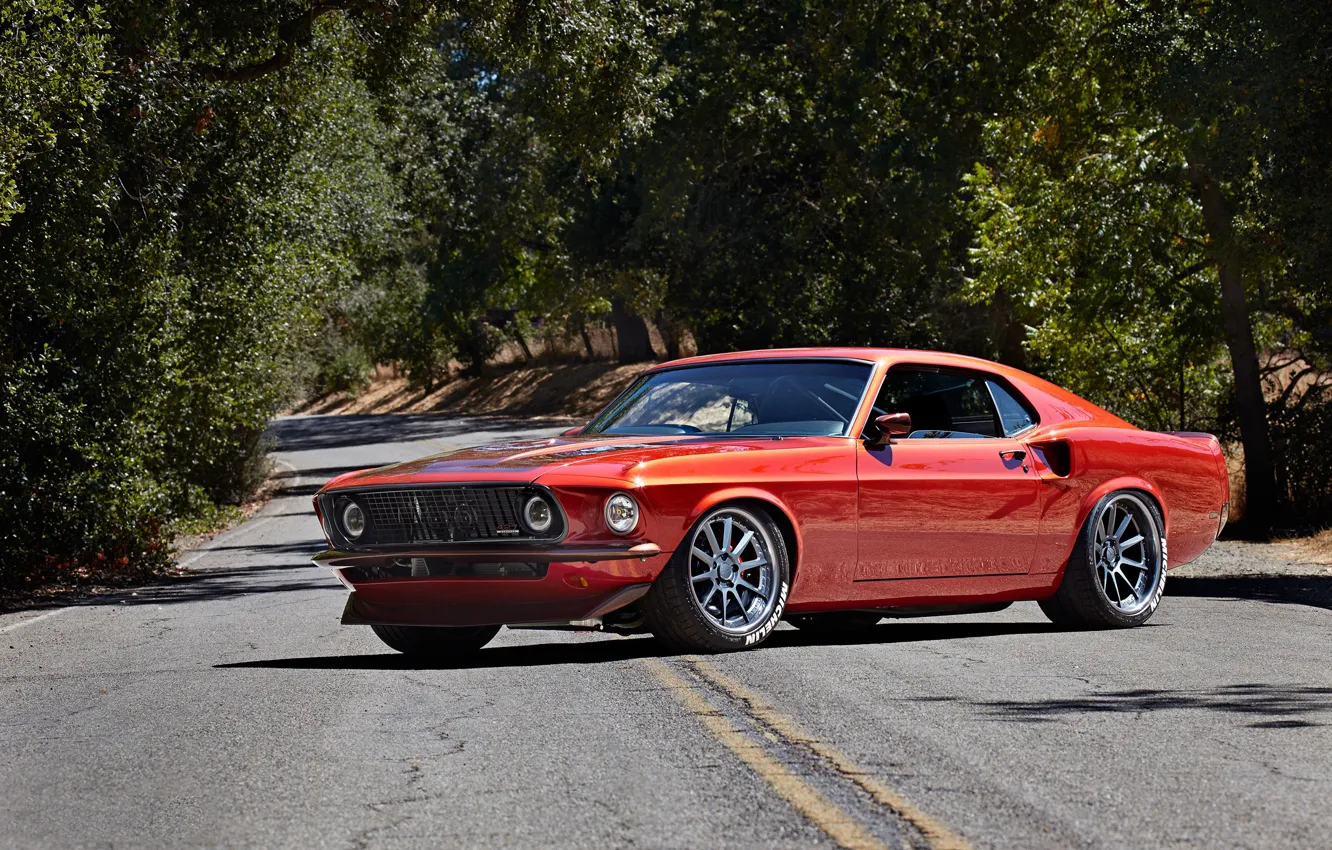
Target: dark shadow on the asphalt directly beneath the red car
x,y
644,647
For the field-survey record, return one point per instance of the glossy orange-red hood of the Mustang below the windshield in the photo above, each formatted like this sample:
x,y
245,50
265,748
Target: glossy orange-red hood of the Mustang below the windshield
x,y
528,460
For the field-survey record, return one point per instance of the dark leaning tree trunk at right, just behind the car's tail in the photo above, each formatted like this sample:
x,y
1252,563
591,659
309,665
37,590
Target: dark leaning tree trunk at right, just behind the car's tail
x,y
1251,407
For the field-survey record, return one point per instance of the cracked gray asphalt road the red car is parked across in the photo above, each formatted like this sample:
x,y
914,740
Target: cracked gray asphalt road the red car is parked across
x,y
232,709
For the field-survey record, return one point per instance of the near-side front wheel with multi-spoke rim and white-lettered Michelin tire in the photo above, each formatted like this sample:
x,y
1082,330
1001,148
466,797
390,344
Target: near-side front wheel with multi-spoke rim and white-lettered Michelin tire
x,y
725,588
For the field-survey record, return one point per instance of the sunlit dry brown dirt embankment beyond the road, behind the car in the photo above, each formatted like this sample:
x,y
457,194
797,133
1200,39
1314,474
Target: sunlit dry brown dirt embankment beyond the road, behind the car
x,y
573,391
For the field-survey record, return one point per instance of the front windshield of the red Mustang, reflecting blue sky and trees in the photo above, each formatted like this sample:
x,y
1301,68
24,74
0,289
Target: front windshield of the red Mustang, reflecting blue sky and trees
x,y
781,399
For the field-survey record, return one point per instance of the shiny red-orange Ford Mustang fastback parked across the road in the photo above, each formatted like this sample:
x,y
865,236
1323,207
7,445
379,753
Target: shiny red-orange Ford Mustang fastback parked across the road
x,y
828,487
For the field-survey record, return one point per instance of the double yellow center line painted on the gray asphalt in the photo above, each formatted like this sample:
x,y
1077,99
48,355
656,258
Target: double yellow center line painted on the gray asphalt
x,y
840,825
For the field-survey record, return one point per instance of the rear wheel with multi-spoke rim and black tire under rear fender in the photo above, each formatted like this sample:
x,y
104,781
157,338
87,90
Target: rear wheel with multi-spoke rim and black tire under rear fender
x,y
1084,599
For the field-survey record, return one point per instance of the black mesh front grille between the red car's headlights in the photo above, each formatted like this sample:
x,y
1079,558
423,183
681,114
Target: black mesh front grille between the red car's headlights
x,y
446,515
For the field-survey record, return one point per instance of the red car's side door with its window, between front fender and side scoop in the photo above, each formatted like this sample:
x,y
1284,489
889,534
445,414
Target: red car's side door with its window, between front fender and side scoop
x,y
958,495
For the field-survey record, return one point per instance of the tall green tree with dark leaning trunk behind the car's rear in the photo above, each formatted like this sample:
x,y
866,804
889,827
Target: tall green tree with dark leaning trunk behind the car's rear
x,y
1134,197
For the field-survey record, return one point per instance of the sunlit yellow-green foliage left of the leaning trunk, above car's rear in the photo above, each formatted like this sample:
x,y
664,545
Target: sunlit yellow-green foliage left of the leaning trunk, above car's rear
x,y
1109,270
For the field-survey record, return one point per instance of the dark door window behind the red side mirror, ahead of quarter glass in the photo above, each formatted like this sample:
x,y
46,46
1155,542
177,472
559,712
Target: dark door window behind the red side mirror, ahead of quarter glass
x,y
942,404
